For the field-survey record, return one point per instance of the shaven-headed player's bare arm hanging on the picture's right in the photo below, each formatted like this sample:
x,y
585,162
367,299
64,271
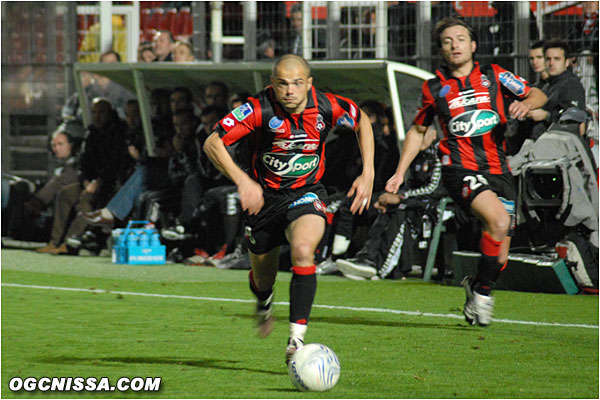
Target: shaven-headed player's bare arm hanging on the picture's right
x,y
363,184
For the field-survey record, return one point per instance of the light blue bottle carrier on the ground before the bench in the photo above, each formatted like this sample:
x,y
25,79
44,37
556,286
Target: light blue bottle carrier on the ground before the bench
x,y
137,245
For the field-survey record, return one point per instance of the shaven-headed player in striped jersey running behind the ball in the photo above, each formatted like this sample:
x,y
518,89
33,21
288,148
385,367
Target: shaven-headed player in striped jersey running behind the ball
x,y
286,125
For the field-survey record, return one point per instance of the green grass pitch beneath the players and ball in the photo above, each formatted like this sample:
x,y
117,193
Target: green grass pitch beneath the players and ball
x,y
204,345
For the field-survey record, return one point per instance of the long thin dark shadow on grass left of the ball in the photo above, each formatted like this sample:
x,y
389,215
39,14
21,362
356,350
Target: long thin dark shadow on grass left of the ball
x,y
201,363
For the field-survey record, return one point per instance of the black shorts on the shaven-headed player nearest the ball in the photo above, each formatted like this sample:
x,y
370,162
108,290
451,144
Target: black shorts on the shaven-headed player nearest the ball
x,y
266,230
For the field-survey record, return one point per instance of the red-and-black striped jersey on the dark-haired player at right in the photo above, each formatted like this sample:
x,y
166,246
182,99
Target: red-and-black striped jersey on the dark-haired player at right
x,y
472,111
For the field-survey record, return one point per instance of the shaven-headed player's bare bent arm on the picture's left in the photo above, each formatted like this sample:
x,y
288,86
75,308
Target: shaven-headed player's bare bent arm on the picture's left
x,y
250,191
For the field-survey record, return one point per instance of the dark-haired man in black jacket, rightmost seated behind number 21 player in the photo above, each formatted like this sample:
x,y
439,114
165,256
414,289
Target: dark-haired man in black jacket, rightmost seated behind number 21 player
x,y
564,89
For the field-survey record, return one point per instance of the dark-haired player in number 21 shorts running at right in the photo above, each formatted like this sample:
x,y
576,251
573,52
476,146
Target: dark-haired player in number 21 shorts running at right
x,y
473,103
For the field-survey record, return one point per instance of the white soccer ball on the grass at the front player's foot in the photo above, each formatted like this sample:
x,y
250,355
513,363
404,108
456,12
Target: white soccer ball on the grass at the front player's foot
x,y
314,367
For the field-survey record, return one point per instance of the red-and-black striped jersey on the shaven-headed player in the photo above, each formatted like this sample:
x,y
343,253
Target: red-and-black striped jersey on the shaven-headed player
x,y
288,150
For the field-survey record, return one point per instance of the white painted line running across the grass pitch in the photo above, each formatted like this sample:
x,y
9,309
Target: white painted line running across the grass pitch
x,y
369,309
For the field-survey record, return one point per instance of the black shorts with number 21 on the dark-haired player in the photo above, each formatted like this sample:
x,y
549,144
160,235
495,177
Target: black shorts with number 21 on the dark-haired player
x,y
464,185
